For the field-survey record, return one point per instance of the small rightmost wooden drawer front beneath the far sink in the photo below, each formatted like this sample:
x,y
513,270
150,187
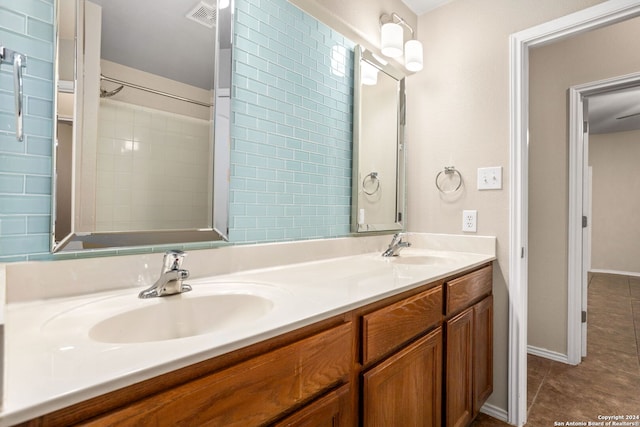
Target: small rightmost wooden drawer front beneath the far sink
x,y
461,292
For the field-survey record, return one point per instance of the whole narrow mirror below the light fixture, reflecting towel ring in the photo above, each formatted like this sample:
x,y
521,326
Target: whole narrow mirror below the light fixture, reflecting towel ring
x,y
378,142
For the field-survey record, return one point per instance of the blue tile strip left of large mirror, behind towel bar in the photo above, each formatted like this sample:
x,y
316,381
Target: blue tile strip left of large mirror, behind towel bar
x,y
26,26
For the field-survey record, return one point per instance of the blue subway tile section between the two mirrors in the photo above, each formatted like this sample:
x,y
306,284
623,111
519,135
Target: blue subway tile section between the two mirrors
x,y
292,105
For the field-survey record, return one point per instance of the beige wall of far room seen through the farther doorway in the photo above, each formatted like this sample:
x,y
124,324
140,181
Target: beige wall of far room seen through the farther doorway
x,y
616,201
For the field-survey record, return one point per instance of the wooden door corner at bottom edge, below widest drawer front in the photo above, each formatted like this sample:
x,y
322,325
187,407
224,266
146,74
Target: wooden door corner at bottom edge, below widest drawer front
x,y
331,410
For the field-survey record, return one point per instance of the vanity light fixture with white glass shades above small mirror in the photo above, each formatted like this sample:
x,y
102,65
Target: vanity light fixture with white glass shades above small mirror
x,y
392,40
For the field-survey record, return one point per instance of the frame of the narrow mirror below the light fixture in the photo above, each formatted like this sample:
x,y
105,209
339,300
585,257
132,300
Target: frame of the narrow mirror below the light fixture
x,y
361,54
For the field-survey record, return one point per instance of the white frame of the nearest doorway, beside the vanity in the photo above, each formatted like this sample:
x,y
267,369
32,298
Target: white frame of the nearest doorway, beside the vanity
x,y
600,15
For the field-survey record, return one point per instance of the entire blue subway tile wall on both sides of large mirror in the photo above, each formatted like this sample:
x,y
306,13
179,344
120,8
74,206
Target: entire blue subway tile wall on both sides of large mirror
x,y
291,129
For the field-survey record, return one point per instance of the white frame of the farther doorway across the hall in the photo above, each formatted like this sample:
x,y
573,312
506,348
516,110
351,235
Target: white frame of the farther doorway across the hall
x,y
578,187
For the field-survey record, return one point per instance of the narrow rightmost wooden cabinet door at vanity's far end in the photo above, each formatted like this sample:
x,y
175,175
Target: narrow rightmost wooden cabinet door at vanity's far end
x,y
482,352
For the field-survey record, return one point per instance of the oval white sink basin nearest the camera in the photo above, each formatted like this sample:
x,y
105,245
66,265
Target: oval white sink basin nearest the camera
x,y
178,316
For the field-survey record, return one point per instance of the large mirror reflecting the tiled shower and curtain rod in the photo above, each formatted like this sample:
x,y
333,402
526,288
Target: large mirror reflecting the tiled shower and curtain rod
x,y
136,163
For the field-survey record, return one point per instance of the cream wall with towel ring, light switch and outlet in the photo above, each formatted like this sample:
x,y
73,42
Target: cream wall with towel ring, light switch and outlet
x,y
458,114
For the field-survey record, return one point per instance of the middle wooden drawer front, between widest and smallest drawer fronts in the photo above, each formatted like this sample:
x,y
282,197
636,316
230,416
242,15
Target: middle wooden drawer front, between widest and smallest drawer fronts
x,y
388,328
